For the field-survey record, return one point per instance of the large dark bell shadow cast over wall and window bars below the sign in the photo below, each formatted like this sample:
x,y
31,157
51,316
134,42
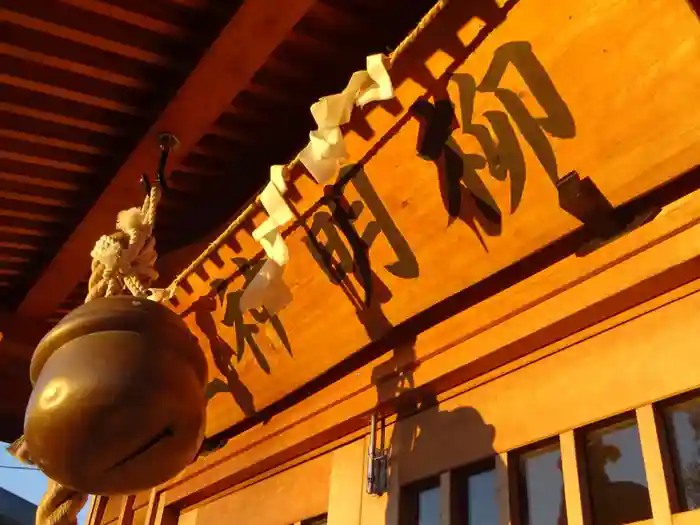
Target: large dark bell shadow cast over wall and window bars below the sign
x,y
424,446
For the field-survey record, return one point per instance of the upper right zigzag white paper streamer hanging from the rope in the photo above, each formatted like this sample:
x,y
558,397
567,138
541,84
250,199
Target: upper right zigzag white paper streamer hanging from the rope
x,y
326,151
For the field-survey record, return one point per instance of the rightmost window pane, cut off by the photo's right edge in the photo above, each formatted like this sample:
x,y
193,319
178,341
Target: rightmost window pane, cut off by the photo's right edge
x,y
683,424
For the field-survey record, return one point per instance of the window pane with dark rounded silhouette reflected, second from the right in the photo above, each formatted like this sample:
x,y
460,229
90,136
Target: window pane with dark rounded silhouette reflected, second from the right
x,y
618,483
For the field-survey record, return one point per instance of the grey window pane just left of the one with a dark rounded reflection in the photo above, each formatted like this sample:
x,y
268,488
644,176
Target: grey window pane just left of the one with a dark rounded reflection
x,y
542,486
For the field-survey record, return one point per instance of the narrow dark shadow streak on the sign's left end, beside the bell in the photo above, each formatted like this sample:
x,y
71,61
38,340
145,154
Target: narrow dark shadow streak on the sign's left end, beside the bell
x,y
222,353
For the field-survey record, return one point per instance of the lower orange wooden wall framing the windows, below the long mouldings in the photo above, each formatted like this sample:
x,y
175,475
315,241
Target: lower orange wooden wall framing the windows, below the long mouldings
x,y
551,394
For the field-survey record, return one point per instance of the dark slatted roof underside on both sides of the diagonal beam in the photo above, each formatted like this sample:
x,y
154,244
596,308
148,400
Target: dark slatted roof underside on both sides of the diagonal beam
x,y
82,82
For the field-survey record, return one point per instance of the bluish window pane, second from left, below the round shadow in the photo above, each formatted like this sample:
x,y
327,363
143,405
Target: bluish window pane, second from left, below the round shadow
x,y
477,500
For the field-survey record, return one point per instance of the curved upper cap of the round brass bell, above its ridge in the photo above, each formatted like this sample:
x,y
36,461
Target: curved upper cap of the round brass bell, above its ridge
x,y
122,313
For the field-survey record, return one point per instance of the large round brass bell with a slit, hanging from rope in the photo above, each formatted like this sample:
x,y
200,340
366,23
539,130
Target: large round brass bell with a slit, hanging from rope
x,y
118,402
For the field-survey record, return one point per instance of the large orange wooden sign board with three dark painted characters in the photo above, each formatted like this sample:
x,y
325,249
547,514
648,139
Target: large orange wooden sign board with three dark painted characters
x,y
438,200
